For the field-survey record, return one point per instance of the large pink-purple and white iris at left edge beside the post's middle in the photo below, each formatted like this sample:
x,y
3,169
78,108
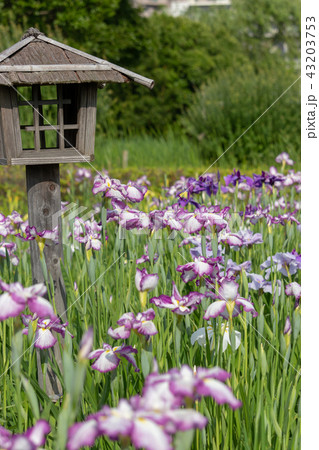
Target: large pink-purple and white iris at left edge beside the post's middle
x,y
15,299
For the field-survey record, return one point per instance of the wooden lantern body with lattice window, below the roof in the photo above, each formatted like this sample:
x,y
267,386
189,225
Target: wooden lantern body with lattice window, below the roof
x,y
76,126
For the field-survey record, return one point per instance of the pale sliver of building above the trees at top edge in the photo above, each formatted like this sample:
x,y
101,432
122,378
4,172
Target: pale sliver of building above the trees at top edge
x,y
176,7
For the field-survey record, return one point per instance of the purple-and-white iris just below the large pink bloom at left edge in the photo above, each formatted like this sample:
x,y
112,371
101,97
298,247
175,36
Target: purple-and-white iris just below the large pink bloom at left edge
x,y
44,338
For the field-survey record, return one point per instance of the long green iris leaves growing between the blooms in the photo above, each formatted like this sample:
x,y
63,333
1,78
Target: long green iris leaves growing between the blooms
x,y
265,371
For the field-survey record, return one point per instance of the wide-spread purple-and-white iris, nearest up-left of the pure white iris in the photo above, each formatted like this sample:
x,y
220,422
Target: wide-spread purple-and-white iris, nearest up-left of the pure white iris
x,y
178,304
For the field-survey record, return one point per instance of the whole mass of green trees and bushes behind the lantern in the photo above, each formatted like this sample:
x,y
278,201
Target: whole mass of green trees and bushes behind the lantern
x,y
215,72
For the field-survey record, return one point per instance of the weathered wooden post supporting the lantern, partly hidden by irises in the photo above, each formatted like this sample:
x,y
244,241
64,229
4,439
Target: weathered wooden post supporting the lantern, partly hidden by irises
x,y
44,205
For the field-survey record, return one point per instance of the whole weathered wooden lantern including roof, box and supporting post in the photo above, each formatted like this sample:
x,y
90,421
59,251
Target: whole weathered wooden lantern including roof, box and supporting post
x,y
48,94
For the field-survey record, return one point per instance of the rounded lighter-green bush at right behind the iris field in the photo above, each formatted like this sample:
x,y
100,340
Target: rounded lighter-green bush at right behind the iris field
x,y
223,110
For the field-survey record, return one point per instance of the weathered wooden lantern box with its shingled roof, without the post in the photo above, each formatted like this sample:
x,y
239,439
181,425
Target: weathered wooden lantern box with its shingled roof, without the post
x,y
38,73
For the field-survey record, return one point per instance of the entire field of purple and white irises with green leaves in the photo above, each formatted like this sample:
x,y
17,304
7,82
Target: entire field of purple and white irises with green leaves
x,y
182,327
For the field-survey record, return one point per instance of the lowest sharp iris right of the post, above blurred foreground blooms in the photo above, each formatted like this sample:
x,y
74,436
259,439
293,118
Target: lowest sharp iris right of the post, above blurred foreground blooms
x,y
107,358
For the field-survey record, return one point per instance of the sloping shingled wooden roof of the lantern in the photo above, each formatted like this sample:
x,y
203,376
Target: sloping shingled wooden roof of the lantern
x,y
37,59
